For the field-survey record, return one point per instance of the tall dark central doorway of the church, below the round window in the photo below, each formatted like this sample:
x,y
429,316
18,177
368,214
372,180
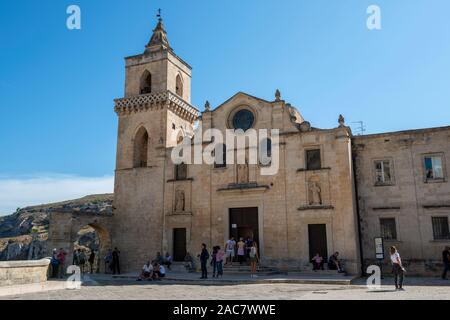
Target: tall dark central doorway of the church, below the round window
x,y
244,223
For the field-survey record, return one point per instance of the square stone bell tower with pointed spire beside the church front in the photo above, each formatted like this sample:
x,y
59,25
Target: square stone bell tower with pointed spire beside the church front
x,y
154,110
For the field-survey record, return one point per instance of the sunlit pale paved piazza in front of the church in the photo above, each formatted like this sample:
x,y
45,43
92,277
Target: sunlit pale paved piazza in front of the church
x,y
131,290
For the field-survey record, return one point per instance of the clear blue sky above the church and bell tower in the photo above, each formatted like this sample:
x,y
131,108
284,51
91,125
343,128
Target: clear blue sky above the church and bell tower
x,y
57,86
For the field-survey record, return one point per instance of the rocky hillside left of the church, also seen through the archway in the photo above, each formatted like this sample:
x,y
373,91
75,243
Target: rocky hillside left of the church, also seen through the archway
x,y
23,234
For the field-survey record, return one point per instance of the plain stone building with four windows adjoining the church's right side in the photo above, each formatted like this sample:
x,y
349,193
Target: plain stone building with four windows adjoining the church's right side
x,y
404,194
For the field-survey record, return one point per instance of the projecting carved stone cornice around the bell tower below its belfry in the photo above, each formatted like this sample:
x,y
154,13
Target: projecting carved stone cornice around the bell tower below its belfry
x,y
156,101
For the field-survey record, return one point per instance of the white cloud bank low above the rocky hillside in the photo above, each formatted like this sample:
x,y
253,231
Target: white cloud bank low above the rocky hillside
x,y
39,189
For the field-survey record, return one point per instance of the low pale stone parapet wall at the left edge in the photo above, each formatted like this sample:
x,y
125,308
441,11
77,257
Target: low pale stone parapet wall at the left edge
x,y
23,272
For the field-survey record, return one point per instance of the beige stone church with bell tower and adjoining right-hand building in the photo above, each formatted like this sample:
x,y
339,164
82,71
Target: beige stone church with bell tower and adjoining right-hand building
x,y
326,197
